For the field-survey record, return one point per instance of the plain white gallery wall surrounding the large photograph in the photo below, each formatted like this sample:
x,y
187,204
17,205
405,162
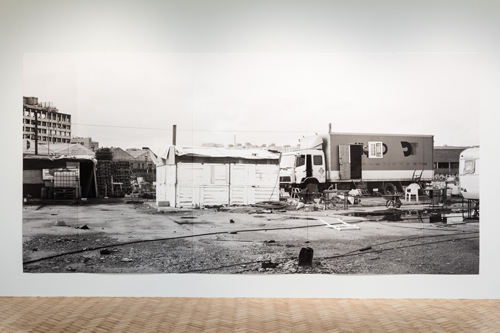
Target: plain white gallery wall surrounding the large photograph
x,y
248,27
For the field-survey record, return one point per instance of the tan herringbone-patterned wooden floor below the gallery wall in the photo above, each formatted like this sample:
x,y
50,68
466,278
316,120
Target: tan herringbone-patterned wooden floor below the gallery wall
x,y
148,315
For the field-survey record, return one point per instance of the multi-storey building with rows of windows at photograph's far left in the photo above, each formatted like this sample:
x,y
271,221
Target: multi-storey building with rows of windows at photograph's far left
x,y
45,121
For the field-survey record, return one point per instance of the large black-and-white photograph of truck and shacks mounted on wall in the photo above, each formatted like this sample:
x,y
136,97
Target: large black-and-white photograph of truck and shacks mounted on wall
x,y
251,163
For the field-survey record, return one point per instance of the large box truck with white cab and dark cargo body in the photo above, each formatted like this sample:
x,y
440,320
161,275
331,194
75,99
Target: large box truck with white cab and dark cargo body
x,y
383,163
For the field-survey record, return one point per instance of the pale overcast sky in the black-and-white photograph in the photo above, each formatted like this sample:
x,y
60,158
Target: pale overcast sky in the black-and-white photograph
x,y
132,100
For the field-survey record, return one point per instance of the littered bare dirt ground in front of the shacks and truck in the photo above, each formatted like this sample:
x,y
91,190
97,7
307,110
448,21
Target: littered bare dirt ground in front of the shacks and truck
x,y
138,237
